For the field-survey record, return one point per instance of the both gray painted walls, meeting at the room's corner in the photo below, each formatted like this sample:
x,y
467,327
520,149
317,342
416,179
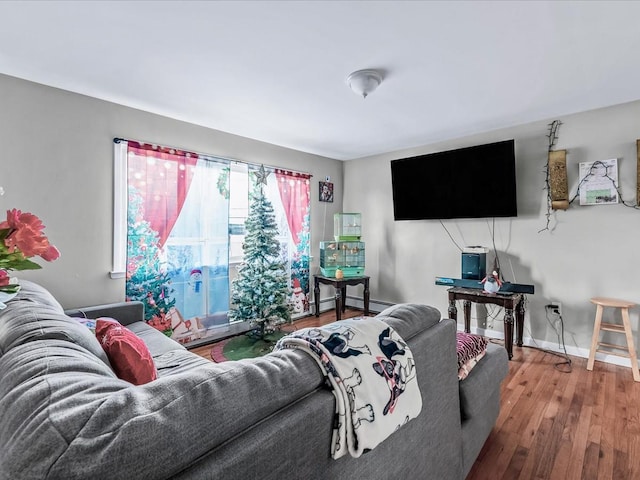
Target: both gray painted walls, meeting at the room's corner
x,y
57,162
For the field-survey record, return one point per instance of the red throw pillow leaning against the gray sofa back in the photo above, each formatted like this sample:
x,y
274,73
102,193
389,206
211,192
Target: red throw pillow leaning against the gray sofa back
x,y
128,354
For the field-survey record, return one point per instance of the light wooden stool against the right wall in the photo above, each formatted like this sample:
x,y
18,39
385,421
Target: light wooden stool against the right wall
x,y
613,327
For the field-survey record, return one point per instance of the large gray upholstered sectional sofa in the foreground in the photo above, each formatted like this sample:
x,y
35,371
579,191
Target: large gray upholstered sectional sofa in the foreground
x,y
65,415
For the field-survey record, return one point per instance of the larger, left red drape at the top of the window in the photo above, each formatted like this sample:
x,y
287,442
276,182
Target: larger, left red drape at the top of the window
x,y
163,176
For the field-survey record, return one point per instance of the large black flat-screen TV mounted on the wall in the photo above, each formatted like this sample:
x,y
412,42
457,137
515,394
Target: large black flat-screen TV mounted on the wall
x,y
473,182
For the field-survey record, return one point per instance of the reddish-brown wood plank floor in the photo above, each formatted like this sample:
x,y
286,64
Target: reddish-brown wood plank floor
x,y
553,425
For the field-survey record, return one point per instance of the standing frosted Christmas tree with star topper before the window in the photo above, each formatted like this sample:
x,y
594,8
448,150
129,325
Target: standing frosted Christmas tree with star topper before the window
x,y
260,292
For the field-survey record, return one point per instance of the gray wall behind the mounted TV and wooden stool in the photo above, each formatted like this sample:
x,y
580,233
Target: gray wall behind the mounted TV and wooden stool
x,y
589,251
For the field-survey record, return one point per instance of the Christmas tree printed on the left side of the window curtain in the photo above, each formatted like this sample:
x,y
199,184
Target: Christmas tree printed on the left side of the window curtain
x,y
146,279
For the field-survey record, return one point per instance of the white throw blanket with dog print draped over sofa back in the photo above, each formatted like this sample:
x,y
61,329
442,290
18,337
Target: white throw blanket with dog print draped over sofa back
x,y
373,377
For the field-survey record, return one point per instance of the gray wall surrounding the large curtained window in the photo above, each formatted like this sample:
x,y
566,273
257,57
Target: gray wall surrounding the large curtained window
x,y
57,162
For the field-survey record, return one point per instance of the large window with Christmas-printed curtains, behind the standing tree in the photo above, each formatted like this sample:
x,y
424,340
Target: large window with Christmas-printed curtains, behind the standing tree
x,y
179,228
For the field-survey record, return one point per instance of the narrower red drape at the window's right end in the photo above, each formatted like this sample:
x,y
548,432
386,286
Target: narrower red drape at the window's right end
x,y
294,192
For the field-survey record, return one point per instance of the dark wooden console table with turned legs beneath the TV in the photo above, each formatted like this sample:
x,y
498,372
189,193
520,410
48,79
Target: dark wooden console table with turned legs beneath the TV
x,y
508,301
